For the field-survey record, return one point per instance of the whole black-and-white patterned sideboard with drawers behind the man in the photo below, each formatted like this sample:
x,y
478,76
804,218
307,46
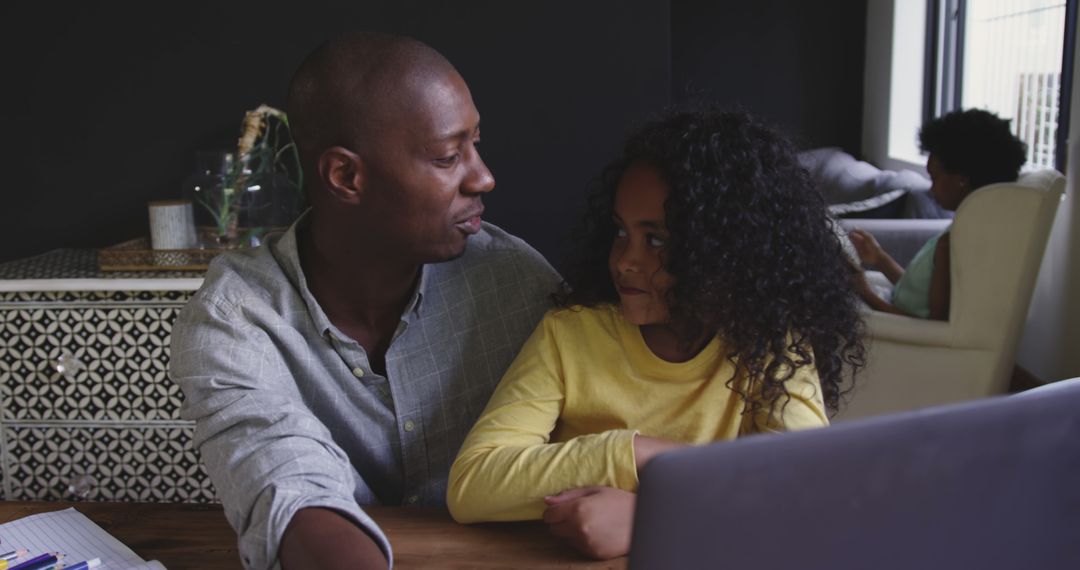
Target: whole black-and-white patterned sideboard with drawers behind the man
x,y
85,398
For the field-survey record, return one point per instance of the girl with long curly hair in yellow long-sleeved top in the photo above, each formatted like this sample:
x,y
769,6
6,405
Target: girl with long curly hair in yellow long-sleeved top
x,y
712,301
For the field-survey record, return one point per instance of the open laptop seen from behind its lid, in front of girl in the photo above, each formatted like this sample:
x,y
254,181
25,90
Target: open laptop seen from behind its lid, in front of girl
x,y
993,484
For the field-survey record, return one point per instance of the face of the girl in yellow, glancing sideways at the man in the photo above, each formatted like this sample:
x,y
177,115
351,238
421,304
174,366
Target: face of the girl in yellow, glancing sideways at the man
x,y
638,254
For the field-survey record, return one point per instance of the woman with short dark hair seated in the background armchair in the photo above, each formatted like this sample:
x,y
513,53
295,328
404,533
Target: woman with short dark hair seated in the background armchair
x,y
968,151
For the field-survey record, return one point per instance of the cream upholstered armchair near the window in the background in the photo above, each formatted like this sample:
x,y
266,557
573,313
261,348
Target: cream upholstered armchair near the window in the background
x,y
998,238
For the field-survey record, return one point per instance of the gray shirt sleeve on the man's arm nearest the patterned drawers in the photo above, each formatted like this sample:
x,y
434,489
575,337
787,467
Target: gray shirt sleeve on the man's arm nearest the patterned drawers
x,y
267,455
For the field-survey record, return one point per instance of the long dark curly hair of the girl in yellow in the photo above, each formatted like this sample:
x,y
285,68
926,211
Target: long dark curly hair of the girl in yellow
x,y
754,255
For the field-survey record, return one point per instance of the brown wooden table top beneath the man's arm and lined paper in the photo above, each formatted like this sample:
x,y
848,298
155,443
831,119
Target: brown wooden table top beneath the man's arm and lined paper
x,y
185,536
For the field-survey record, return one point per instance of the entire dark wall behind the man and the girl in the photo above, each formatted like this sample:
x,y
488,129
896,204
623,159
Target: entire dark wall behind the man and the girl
x,y
105,104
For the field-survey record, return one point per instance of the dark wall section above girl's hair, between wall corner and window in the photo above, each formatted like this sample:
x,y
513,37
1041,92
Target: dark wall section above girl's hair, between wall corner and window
x,y
800,64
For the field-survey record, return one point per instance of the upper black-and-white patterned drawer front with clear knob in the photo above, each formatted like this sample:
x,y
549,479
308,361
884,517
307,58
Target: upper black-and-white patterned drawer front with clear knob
x,y
124,352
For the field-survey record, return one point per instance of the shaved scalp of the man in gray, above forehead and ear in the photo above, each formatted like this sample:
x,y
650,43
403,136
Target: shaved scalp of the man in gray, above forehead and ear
x,y
347,90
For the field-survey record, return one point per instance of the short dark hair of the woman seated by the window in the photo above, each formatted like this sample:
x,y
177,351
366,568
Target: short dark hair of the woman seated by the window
x,y
977,144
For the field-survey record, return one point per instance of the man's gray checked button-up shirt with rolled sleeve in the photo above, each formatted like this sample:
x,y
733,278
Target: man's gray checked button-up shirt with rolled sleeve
x,y
289,412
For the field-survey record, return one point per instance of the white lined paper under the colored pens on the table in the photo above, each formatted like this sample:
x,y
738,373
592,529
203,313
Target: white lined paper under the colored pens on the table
x,y
77,537
